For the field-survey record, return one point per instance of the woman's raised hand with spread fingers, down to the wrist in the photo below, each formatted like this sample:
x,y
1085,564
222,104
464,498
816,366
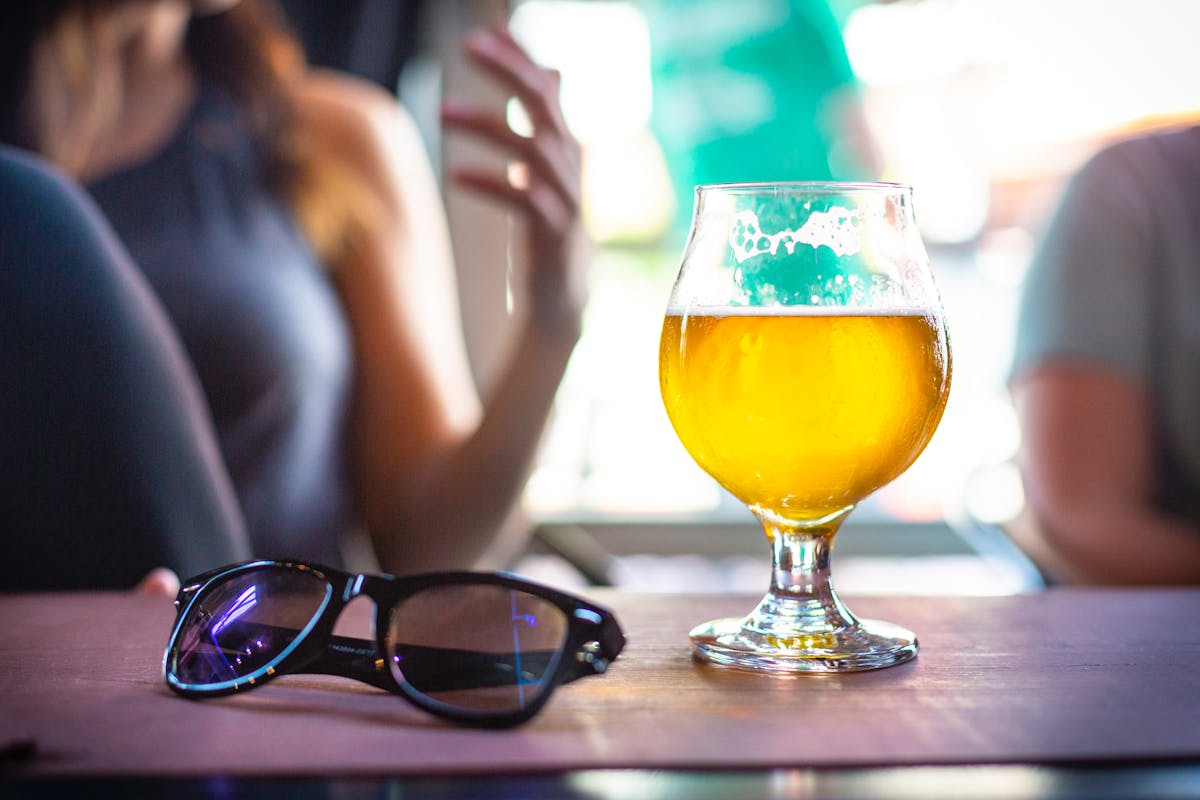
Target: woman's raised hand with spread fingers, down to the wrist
x,y
544,185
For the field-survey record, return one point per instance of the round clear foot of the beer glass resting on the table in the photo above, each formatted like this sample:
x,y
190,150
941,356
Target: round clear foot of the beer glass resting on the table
x,y
871,645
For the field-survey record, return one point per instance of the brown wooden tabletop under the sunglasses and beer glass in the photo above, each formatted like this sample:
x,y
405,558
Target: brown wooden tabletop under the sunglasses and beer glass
x,y
1072,682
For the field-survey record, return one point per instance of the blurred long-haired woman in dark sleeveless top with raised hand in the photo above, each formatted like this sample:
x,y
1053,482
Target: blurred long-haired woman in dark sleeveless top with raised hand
x,y
290,225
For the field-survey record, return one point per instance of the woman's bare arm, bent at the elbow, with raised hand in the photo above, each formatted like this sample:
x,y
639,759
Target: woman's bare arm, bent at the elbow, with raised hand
x,y
439,471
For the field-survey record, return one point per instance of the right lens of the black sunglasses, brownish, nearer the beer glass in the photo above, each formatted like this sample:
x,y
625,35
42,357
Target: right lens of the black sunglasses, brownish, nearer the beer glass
x,y
485,649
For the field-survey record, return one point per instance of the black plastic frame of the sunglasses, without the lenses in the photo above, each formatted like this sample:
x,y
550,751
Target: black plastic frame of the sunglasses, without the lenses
x,y
593,636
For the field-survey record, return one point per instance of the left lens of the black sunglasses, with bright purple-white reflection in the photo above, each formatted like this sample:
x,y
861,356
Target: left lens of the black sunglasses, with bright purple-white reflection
x,y
241,628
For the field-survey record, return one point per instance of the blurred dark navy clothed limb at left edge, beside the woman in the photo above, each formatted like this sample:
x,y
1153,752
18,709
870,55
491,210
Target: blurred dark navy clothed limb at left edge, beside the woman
x,y
111,464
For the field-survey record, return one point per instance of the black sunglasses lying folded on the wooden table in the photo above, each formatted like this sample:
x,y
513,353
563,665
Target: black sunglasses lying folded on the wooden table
x,y
471,647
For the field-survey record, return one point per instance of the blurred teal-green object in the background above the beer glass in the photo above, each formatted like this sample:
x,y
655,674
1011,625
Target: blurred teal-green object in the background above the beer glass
x,y
748,92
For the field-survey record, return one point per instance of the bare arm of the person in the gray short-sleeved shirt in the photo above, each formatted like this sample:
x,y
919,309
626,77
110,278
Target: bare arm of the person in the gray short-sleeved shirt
x,y
1089,476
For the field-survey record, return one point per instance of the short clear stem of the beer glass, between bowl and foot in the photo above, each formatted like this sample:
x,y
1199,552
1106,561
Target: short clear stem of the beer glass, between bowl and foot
x,y
802,600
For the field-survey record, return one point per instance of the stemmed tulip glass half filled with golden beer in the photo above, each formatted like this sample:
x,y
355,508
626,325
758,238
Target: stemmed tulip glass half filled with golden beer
x,y
805,364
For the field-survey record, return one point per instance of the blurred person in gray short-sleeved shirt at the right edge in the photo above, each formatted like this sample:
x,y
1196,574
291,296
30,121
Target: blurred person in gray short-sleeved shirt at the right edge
x,y
1107,371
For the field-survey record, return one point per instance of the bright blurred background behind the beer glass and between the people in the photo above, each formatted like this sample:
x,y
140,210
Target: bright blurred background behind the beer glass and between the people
x,y
985,107
